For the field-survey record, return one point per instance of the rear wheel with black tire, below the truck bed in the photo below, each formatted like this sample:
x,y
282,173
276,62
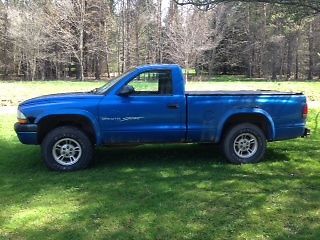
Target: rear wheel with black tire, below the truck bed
x,y
244,136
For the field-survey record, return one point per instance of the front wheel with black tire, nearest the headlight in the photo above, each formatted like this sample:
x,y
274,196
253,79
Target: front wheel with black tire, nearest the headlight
x,y
64,136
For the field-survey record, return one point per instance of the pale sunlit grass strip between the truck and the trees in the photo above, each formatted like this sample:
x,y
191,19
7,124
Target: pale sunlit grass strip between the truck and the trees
x,y
11,93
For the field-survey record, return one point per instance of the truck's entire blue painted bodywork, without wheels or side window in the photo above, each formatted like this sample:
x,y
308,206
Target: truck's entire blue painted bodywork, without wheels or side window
x,y
147,119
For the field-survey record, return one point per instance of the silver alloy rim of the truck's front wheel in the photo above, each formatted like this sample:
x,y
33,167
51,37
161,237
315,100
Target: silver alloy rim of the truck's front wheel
x,y
66,151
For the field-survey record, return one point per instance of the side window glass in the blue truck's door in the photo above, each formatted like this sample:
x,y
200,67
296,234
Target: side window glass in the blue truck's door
x,y
152,83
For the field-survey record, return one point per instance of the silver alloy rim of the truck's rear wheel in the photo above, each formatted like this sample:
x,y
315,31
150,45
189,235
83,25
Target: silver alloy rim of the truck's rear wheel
x,y
245,145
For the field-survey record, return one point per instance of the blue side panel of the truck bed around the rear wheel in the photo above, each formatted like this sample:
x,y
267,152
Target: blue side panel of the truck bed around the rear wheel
x,y
208,114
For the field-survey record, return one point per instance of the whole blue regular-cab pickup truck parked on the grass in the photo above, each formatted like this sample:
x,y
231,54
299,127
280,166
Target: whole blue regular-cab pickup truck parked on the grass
x,y
149,104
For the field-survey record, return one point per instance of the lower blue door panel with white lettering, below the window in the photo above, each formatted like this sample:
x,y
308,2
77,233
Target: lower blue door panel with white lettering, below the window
x,y
142,119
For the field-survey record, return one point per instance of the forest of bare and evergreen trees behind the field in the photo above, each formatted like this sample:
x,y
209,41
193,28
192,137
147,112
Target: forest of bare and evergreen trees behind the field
x,y
96,39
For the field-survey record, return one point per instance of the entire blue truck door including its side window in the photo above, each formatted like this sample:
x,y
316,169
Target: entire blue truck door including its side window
x,y
151,113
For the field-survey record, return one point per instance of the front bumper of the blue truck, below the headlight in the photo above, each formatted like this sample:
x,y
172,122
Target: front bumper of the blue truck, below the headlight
x,y
27,133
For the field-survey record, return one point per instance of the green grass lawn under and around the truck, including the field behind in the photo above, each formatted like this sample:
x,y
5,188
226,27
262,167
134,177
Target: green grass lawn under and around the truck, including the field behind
x,y
161,191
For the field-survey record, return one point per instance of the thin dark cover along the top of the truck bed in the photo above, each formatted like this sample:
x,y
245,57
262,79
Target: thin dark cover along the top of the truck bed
x,y
240,92
